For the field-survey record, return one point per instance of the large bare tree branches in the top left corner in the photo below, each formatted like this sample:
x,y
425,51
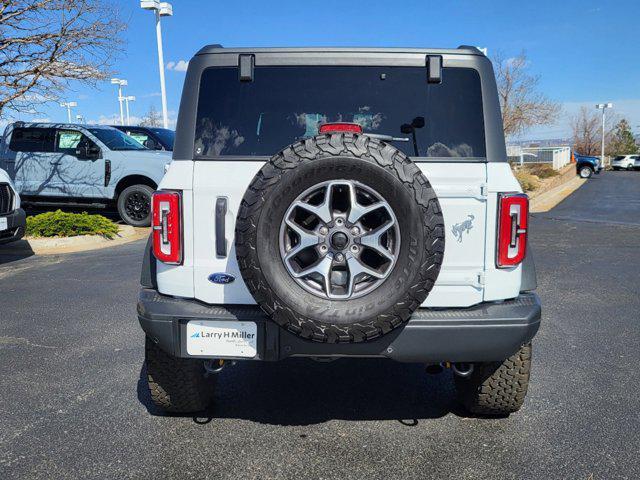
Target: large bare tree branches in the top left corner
x,y
45,44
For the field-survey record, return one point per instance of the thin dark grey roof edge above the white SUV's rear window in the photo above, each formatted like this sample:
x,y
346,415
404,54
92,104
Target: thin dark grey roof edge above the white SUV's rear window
x,y
461,50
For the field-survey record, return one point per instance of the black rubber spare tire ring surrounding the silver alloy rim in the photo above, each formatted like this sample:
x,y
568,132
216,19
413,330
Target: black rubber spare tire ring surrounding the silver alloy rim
x,y
329,157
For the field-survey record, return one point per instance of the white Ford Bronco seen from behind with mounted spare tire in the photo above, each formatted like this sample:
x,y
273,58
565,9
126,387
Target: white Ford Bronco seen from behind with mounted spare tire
x,y
339,202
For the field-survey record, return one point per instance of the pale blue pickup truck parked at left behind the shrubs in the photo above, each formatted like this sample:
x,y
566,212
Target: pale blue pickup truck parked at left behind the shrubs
x,y
83,165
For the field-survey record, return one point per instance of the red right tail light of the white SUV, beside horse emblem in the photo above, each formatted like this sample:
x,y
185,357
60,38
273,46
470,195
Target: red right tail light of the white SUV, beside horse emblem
x,y
513,221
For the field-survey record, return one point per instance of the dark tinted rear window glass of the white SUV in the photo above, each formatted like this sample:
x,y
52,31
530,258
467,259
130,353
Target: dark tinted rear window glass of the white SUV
x,y
285,104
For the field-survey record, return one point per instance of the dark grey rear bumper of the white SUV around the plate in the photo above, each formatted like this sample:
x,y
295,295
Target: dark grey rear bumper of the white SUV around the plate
x,y
485,332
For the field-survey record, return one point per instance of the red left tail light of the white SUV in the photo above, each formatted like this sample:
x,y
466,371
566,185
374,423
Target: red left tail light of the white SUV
x,y
167,227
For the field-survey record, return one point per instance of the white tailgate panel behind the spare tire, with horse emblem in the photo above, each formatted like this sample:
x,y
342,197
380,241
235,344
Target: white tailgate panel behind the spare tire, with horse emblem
x,y
461,189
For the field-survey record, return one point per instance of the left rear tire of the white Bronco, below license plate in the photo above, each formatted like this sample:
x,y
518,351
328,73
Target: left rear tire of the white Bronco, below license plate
x,y
177,385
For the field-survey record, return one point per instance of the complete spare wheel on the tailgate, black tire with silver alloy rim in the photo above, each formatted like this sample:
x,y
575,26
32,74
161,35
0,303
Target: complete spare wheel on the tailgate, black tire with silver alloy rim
x,y
339,238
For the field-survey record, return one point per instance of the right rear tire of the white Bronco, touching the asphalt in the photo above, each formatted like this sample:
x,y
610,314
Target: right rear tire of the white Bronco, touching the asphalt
x,y
496,388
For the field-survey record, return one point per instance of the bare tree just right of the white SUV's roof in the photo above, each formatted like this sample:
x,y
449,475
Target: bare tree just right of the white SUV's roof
x,y
521,104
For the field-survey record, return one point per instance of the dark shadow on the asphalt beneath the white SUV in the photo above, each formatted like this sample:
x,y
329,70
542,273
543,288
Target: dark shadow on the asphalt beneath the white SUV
x,y
304,392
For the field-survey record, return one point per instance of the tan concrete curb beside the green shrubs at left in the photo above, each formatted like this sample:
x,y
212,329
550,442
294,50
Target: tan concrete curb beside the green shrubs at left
x,y
83,243
